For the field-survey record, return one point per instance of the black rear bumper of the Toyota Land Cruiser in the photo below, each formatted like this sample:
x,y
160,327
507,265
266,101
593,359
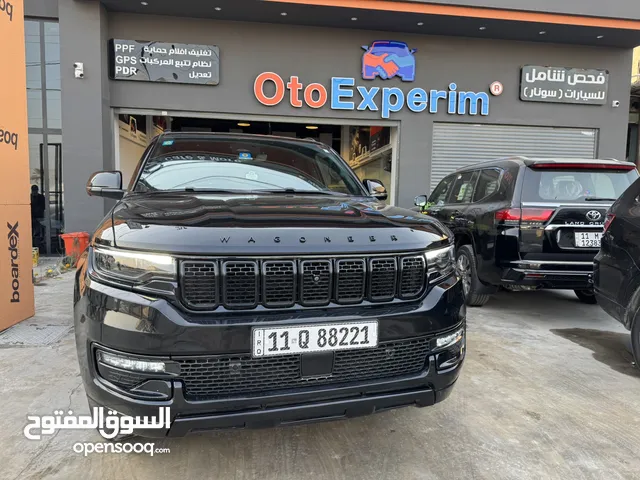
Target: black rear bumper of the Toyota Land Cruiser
x,y
577,276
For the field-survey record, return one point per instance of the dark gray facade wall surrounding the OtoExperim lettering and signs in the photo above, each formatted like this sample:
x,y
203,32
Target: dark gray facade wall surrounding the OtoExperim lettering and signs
x,y
315,55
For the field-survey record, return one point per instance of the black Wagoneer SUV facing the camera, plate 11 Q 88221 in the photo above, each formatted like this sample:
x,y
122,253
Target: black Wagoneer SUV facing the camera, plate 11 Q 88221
x,y
248,281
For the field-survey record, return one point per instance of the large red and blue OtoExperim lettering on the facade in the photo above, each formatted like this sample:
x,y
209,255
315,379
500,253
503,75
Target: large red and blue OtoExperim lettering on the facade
x,y
270,89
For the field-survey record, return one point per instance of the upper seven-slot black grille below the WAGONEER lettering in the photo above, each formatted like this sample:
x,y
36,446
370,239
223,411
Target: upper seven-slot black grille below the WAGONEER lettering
x,y
313,282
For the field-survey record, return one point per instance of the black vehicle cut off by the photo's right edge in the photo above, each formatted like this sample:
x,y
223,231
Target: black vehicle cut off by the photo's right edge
x,y
617,274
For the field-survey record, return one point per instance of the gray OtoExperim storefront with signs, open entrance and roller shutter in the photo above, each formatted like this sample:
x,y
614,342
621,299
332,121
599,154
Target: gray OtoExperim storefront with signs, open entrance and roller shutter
x,y
436,103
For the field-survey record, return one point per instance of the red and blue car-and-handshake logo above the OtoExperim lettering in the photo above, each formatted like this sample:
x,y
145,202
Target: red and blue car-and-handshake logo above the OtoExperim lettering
x,y
388,59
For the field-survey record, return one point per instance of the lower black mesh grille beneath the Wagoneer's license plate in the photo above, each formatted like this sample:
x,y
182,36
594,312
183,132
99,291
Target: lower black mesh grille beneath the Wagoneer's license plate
x,y
227,376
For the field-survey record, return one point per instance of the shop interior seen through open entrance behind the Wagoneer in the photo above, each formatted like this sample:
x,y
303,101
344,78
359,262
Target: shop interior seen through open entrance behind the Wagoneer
x,y
367,149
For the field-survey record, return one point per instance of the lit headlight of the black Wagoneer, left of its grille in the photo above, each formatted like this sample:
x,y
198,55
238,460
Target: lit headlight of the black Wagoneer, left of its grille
x,y
134,267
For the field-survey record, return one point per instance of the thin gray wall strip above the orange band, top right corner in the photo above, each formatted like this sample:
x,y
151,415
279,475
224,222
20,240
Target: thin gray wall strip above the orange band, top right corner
x,y
628,9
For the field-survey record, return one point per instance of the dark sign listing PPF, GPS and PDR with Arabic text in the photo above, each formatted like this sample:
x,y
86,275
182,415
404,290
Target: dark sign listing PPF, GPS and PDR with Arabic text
x,y
164,62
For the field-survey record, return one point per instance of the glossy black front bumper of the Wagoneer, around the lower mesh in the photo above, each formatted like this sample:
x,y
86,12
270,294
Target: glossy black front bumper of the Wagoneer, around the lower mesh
x,y
123,321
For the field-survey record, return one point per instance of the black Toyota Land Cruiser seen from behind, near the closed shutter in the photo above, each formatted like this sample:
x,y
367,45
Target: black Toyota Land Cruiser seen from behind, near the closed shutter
x,y
521,222
